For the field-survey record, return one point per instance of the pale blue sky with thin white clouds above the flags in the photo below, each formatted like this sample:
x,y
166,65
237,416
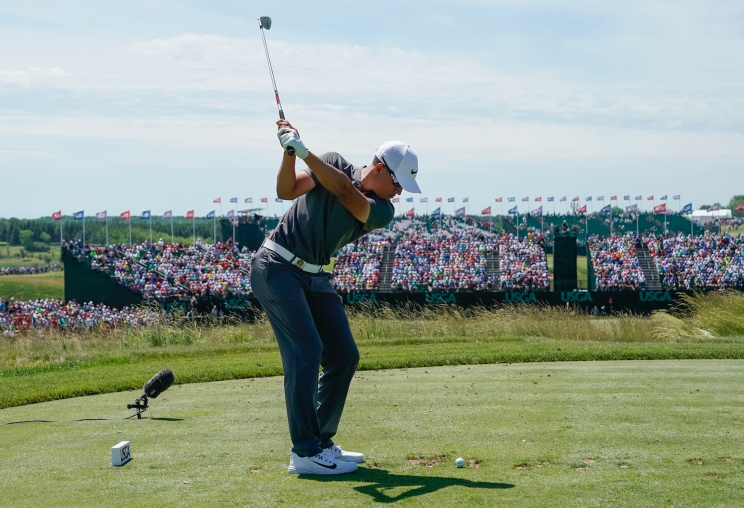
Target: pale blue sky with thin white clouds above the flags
x,y
167,105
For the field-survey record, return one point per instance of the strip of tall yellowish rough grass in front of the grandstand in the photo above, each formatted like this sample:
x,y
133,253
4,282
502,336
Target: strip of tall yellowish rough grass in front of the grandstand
x,y
702,317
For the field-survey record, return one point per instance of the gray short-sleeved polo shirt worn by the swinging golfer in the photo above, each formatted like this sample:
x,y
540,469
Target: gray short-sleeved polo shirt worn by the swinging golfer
x,y
317,224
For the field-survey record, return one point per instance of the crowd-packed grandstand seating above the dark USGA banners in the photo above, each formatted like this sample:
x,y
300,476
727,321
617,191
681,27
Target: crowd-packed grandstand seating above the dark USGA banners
x,y
429,255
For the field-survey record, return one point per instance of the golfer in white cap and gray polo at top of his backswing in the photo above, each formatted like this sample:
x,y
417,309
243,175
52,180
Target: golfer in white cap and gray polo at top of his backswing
x,y
335,204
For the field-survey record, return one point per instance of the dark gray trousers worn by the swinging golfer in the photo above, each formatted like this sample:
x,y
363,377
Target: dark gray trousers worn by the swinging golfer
x,y
312,330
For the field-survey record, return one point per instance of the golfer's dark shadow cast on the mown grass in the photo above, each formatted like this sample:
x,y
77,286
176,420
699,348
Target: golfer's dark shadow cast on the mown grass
x,y
380,481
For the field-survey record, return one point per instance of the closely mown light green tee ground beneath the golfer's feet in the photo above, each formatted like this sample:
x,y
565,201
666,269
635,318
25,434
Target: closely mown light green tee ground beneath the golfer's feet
x,y
616,433
